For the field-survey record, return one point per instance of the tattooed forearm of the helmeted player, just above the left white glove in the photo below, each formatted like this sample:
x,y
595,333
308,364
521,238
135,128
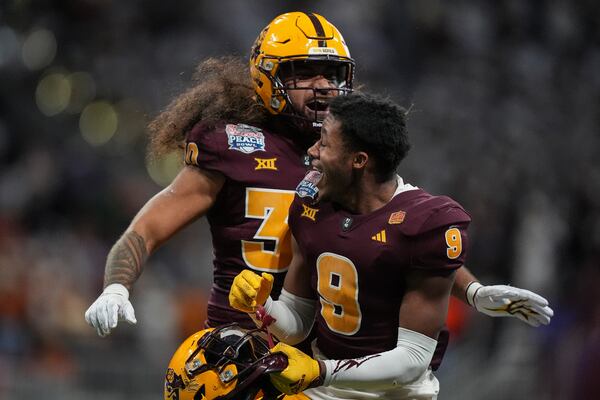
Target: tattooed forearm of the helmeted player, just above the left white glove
x,y
126,260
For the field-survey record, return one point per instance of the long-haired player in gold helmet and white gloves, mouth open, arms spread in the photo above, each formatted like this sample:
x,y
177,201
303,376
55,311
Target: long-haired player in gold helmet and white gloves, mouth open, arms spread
x,y
245,131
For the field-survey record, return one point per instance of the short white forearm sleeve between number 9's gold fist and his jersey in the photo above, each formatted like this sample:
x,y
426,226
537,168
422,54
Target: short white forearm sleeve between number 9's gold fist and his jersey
x,y
294,316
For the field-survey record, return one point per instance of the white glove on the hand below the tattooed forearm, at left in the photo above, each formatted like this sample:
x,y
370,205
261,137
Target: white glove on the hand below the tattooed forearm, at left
x,y
111,306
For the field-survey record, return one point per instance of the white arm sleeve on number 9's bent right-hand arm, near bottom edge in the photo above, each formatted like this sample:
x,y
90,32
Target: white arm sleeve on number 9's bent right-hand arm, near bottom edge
x,y
400,366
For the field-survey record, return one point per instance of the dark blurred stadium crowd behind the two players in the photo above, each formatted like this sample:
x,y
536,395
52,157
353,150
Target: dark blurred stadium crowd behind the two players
x,y
505,118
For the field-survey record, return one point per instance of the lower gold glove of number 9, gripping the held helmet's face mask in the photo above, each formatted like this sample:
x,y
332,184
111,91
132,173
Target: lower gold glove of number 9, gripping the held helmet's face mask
x,y
301,373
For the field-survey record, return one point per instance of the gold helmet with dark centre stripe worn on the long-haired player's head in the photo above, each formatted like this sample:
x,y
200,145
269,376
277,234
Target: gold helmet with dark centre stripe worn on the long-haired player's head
x,y
289,44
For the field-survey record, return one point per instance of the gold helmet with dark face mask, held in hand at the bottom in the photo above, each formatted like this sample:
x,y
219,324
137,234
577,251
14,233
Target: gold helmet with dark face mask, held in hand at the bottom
x,y
223,363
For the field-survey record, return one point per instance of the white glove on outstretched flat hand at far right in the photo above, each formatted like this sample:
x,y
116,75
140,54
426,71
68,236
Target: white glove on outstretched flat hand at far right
x,y
508,301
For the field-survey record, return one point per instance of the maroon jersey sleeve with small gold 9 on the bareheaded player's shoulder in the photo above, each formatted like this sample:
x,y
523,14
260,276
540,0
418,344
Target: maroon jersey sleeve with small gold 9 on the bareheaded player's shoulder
x,y
442,242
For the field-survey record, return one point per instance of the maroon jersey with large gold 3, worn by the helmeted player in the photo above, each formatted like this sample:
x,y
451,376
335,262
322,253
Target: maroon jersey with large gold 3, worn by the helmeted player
x,y
249,220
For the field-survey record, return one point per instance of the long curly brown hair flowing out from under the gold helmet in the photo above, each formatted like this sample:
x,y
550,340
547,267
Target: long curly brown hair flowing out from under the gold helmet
x,y
222,90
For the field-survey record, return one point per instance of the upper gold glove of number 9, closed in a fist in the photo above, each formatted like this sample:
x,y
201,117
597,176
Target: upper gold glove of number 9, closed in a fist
x,y
250,290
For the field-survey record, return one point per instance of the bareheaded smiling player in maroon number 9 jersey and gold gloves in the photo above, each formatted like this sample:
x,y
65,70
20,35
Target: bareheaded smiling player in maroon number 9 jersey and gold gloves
x,y
375,260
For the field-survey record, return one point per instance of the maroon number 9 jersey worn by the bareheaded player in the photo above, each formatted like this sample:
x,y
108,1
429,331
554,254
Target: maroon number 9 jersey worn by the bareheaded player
x,y
359,264
